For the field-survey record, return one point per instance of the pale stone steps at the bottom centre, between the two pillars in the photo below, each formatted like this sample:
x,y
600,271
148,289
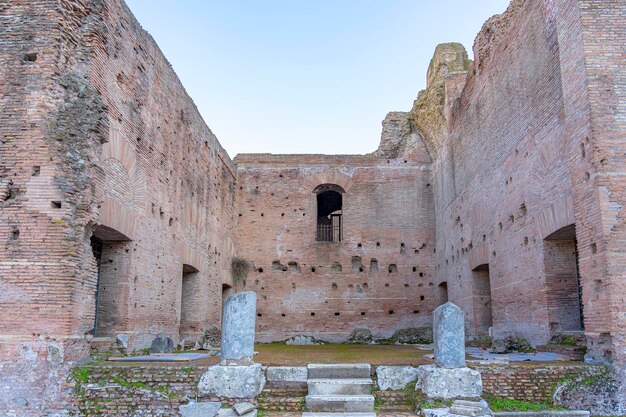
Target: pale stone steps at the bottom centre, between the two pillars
x,y
339,390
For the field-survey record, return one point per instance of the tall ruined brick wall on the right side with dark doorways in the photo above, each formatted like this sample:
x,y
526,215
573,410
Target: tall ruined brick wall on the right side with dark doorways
x,y
525,173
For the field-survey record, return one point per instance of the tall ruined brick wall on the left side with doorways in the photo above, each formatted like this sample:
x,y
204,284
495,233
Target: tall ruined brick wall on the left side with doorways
x,y
98,138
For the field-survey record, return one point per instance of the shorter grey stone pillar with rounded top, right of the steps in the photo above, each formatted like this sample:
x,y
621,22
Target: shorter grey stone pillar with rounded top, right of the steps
x,y
449,336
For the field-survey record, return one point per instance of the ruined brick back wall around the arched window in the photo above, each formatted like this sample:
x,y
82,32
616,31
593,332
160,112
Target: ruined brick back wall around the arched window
x,y
379,277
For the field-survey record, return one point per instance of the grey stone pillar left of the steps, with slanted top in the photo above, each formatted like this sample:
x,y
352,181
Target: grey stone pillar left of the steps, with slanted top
x,y
238,325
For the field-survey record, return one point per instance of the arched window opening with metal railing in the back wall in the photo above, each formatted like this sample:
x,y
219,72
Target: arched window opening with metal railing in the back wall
x,y
329,213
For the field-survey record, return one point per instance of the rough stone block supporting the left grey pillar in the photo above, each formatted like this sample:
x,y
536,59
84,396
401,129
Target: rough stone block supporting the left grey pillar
x,y
232,381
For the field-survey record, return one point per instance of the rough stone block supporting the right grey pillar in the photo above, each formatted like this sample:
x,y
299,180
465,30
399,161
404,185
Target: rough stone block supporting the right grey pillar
x,y
447,384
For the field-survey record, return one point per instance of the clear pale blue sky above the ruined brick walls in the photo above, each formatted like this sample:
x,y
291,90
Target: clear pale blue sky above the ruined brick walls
x,y
305,76
